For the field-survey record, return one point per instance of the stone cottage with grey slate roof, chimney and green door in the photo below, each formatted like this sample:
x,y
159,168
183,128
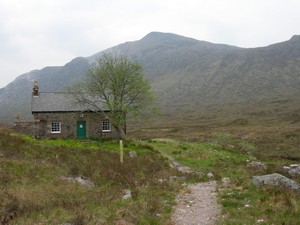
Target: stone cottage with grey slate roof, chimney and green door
x,y
56,115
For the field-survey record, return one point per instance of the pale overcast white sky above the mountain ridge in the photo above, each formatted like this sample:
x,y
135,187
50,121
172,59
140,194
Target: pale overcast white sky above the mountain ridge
x,y
39,33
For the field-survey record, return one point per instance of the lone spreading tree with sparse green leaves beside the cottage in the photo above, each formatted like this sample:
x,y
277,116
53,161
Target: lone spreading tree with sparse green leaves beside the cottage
x,y
119,86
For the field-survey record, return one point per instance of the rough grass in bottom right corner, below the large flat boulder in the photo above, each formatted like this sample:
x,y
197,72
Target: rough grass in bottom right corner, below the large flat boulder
x,y
264,206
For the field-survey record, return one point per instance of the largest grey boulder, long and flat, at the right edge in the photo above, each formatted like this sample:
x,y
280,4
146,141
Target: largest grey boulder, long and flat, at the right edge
x,y
276,179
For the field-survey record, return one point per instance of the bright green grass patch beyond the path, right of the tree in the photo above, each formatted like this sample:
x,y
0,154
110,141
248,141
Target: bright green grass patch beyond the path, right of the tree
x,y
205,157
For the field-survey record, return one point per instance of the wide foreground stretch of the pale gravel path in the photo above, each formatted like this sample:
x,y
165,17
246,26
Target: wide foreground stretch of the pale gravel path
x,y
197,205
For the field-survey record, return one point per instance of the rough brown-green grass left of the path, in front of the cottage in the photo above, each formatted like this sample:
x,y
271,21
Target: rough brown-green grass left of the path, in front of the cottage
x,y
31,191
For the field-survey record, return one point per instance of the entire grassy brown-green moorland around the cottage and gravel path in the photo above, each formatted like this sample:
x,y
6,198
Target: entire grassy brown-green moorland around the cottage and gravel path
x,y
223,142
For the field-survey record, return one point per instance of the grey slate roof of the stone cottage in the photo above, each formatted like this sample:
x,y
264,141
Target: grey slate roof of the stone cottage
x,y
56,102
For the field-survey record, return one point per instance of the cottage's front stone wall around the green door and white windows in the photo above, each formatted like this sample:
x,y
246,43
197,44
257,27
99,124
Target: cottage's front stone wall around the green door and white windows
x,y
43,122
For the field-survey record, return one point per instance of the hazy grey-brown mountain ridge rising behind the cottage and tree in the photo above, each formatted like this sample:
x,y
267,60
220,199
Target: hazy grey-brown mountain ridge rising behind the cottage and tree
x,y
186,74
